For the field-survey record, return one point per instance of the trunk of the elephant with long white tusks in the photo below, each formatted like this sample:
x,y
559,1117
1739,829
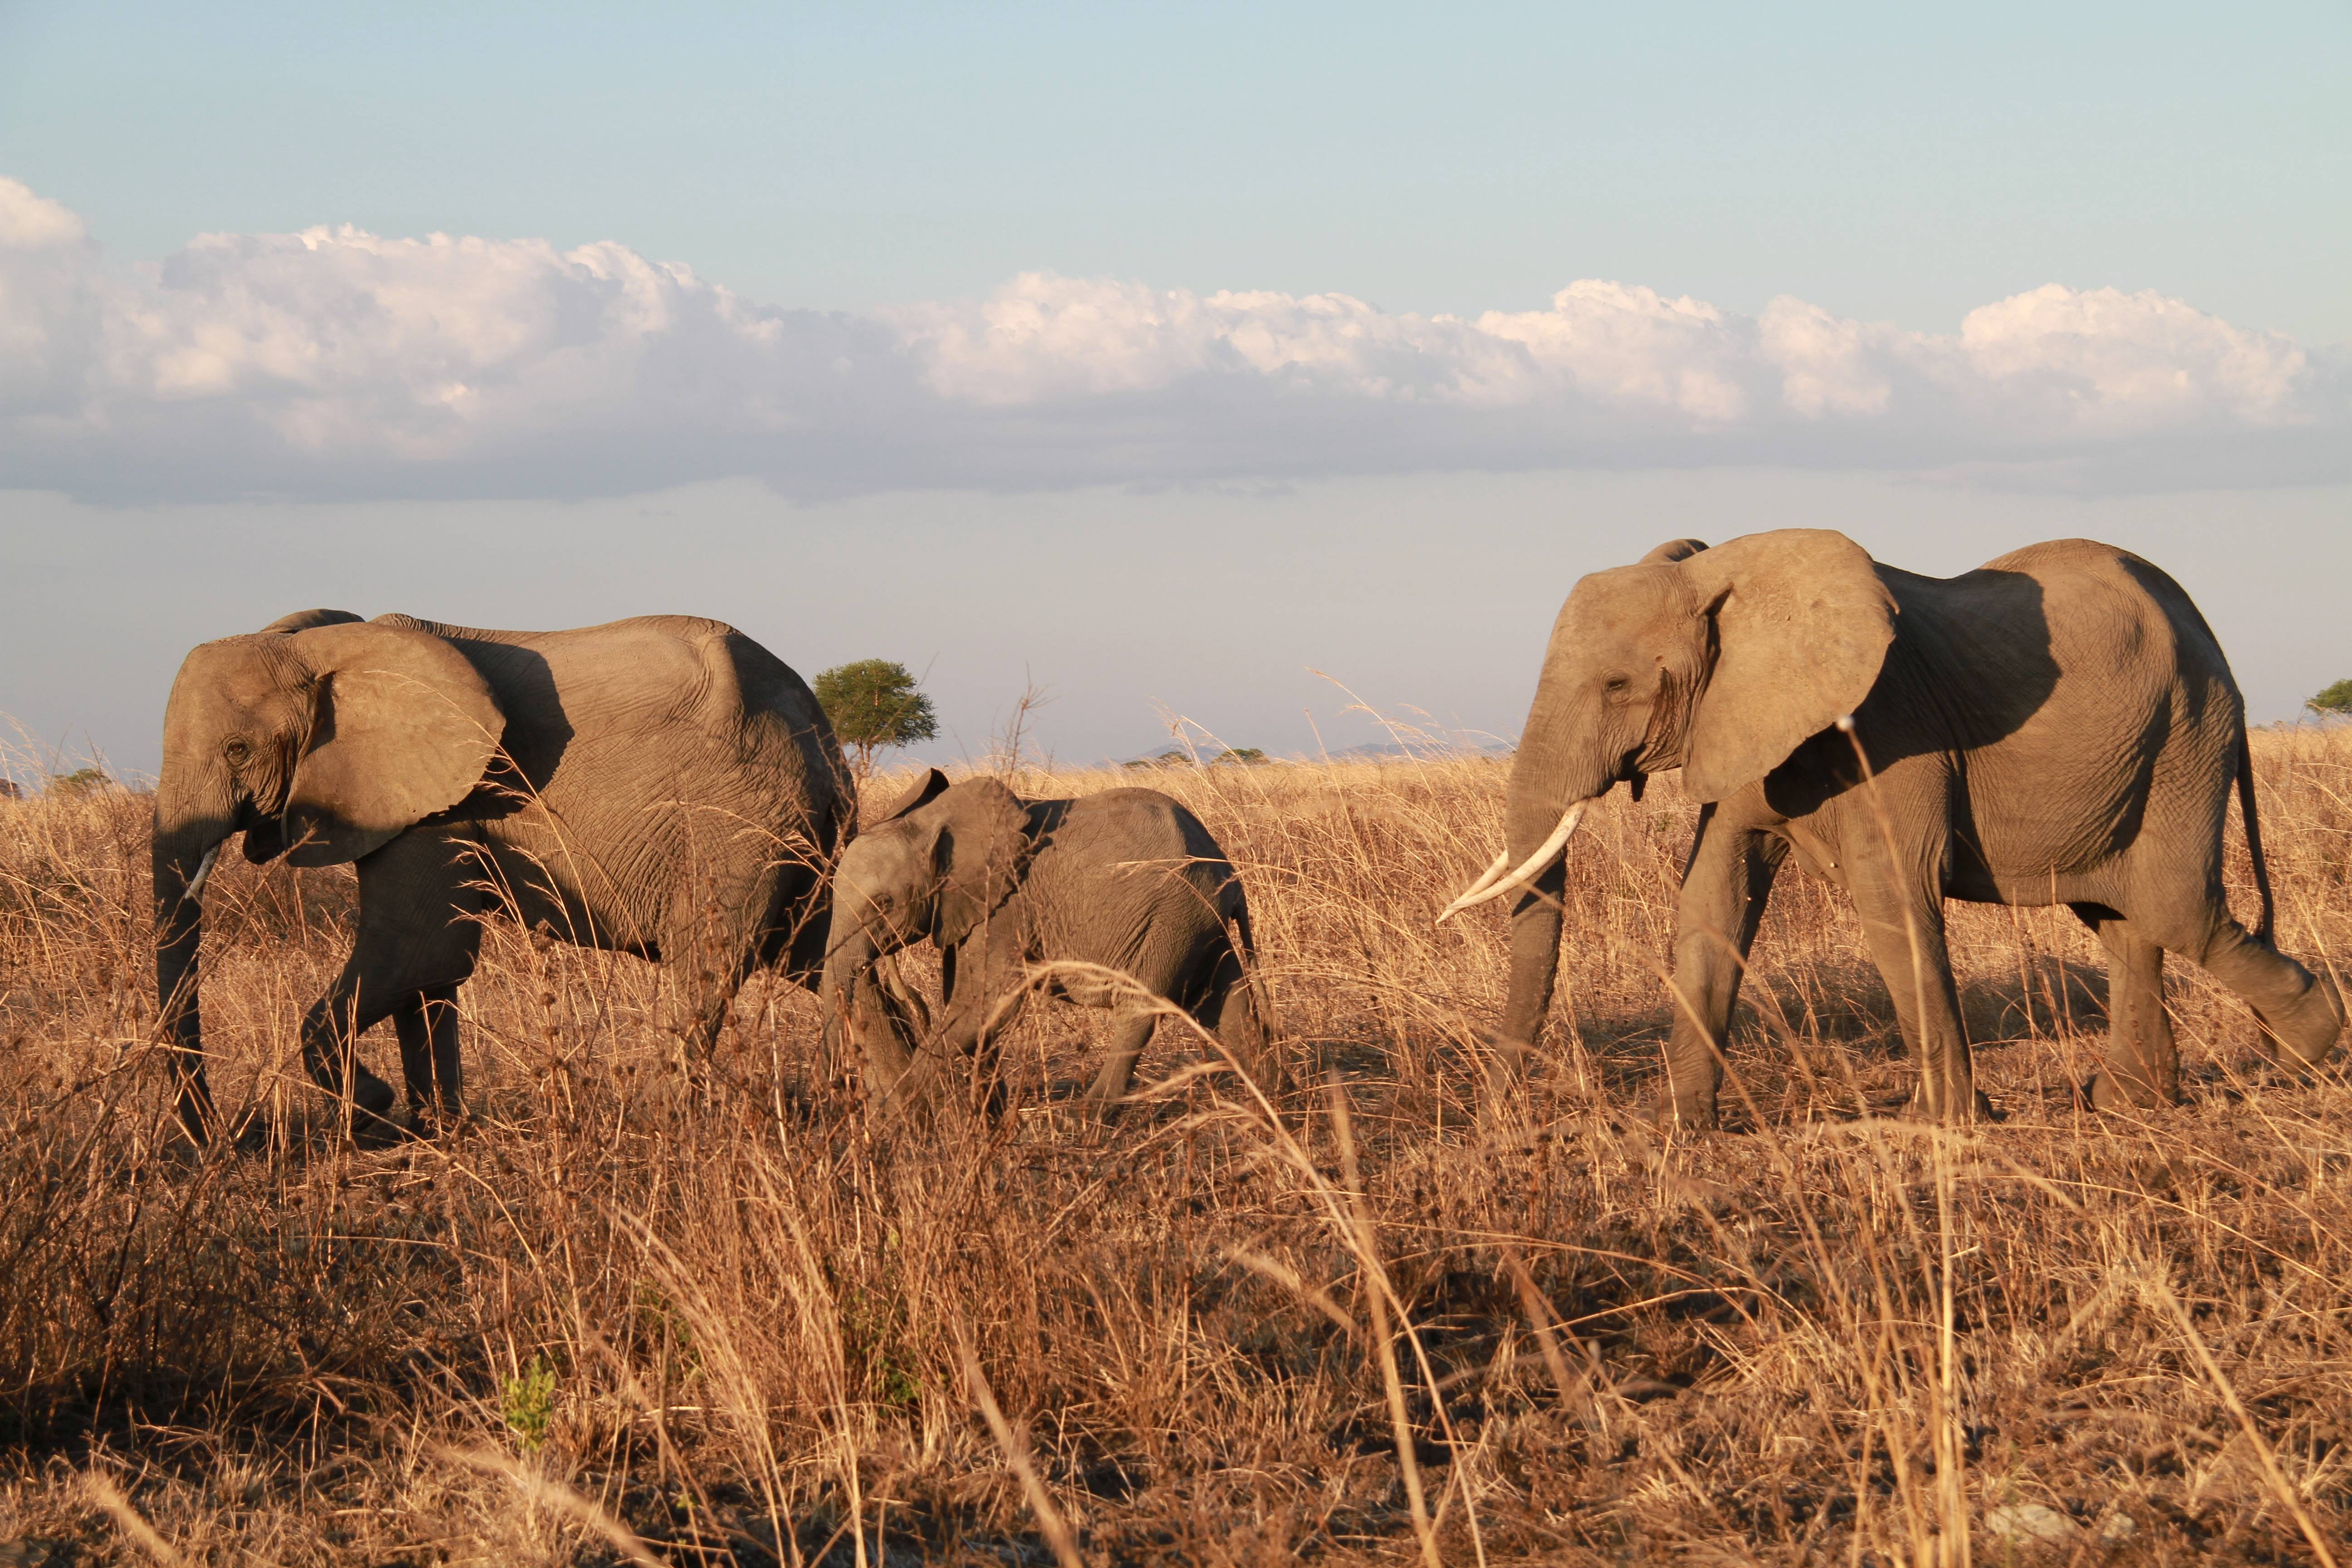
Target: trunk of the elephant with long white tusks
x,y
1551,784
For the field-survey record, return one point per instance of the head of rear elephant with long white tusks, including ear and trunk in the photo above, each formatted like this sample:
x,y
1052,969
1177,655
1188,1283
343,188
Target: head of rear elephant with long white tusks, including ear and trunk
x,y
1711,662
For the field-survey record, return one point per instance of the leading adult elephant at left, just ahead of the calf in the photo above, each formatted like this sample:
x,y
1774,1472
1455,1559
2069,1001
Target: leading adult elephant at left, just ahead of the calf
x,y
657,786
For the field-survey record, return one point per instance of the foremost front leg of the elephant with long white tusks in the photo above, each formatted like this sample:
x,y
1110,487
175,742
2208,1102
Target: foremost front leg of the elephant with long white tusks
x,y
1725,887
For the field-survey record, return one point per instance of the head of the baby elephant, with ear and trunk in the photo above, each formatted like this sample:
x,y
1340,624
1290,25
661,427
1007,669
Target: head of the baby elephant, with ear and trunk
x,y
935,866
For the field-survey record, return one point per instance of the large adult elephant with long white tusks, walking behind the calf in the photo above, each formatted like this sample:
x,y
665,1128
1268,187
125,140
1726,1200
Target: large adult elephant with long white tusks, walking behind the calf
x,y
2052,728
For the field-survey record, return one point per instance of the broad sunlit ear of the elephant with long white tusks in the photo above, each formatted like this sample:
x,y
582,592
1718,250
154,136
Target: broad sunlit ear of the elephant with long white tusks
x,y
1800,631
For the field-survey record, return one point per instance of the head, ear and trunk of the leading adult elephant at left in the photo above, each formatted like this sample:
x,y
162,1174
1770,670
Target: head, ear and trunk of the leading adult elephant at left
x,y
321,739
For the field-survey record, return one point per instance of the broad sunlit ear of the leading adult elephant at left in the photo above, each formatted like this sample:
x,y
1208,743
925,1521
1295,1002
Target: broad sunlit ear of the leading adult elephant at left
x,y
403,728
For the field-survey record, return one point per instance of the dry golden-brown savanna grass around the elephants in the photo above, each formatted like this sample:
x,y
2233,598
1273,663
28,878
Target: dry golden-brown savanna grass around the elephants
x,y
702,1313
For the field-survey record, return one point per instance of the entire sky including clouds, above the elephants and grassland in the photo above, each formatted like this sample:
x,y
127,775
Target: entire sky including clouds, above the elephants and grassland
x,y
1154,351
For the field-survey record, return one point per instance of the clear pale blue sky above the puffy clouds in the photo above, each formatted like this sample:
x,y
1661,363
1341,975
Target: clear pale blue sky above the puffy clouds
x,y
1887,161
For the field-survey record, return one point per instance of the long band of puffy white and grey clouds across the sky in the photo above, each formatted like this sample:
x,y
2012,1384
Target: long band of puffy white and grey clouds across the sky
x,y
347,366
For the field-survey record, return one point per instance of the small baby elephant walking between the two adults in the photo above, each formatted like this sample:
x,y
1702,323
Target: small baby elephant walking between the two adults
x,y
1125,880
